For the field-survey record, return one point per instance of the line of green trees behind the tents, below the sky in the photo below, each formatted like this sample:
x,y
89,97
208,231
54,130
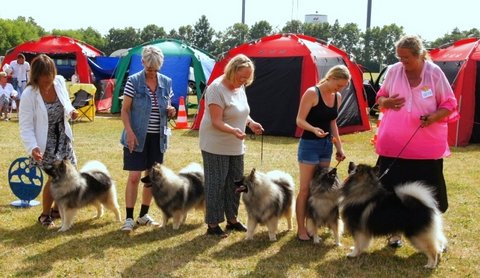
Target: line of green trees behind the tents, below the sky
x,y
372,48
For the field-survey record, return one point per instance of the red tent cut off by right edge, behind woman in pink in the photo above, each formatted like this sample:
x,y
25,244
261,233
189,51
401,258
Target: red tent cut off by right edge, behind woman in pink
x,y
461,63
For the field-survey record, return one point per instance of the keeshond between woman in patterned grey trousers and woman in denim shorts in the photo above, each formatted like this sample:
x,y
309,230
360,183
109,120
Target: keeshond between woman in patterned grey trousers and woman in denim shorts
x,y
267,197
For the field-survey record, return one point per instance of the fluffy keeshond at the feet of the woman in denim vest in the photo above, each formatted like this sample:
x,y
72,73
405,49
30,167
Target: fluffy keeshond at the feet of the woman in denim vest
x,y
176,194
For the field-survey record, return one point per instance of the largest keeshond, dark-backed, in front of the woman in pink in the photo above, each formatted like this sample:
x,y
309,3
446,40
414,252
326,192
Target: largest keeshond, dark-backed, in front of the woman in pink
x,y
369,210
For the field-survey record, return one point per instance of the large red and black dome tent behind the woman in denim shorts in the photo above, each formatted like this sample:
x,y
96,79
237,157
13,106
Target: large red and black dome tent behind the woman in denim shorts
x,y
285,66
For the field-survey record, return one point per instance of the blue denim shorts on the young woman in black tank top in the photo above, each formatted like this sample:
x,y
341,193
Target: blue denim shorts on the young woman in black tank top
x,y
315,151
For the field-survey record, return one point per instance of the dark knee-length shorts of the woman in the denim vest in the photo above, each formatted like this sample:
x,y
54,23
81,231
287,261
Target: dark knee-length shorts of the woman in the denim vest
x,y
140,161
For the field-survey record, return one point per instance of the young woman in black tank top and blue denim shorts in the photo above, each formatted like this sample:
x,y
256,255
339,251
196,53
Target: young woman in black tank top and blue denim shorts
x,y
317,116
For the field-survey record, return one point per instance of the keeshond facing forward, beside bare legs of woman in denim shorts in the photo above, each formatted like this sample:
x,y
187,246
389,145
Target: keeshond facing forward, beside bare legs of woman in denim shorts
x,y
323,203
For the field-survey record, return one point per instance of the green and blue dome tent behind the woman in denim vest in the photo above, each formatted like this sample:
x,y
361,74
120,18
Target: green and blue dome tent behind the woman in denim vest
x,y
180,58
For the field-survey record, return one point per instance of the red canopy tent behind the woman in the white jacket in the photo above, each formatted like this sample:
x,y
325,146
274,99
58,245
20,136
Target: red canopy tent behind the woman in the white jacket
x,y
67,52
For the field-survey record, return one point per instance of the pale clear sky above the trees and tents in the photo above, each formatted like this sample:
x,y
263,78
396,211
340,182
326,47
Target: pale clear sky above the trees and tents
x,y
428,18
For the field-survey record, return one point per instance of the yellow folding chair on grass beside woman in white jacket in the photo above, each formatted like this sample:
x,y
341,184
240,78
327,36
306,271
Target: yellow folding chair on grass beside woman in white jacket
x,y
84,100
